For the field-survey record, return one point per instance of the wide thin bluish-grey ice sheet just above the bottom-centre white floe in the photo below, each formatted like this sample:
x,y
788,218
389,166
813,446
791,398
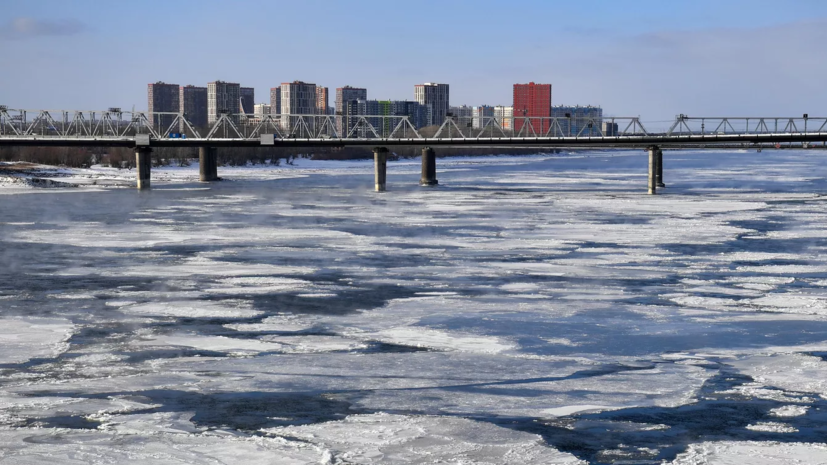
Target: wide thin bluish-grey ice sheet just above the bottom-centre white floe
x,y
456,383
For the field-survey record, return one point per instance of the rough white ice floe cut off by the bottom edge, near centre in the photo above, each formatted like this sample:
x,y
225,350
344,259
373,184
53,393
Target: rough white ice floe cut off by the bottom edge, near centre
x,y
384,438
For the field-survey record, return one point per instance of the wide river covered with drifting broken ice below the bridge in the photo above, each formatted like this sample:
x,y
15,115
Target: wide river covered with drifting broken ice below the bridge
x,y
528,310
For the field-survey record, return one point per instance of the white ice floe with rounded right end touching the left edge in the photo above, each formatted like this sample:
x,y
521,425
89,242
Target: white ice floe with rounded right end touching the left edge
x,y
23,339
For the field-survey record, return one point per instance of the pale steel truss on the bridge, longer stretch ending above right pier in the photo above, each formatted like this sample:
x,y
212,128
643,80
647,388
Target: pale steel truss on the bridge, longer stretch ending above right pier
x,y
115,123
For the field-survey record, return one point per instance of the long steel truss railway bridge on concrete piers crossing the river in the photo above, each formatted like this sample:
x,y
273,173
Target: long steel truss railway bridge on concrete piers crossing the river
x,y
143,131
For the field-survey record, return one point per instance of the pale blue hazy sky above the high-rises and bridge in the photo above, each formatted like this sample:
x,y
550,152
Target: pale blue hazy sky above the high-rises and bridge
x,y
647,58
